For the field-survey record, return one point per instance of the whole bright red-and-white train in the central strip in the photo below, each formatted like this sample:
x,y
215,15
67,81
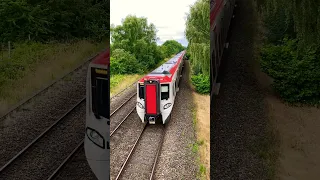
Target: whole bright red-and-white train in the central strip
x,y
156,92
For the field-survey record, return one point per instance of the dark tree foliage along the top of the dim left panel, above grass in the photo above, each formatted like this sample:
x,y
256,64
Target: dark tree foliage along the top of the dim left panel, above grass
x,y
41,20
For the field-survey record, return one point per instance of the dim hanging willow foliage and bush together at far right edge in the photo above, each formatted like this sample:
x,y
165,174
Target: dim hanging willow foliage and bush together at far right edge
x,y
291,53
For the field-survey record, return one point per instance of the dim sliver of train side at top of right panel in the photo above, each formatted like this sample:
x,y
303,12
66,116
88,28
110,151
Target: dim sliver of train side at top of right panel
x,y
221,14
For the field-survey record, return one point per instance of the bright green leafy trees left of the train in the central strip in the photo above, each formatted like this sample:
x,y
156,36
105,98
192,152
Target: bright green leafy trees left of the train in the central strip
x,y
134,48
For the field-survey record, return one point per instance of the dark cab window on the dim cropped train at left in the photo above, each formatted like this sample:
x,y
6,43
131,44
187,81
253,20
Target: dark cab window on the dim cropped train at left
x,y
100,93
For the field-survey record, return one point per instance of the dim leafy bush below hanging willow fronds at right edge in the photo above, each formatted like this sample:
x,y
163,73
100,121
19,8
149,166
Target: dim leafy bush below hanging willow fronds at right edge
x,y
296,74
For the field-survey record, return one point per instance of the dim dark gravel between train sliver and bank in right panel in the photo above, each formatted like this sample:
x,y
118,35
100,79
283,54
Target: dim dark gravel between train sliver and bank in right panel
x,y
238,118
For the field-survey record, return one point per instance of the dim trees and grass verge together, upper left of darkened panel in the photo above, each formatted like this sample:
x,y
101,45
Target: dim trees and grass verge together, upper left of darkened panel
x,y
47,39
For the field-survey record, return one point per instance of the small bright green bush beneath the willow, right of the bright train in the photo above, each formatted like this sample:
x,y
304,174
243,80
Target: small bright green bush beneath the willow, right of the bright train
x,y
201,83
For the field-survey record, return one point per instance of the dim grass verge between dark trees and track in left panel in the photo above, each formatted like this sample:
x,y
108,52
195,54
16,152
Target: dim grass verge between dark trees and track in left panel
x,y
33,66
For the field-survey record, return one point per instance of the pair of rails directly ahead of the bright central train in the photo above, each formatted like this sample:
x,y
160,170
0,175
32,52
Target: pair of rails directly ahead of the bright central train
x,y
134,147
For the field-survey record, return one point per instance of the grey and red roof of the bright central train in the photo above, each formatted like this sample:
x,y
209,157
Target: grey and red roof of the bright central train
x,y
165,72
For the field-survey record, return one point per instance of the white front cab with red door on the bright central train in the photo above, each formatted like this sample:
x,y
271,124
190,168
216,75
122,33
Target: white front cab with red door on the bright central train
x,y
155,101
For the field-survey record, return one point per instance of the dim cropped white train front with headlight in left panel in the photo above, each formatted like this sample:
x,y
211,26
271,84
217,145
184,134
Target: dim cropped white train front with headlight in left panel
x,y
97,129
